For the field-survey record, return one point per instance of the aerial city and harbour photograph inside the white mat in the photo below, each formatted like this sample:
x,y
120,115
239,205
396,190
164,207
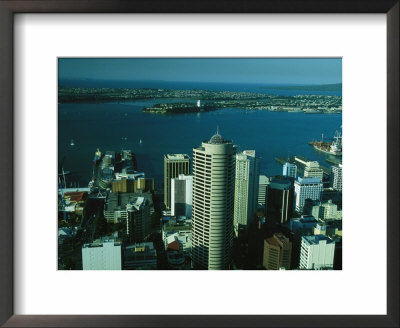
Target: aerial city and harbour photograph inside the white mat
x,y
200,164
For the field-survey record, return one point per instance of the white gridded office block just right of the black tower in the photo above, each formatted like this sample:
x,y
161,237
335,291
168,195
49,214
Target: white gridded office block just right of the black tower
x,y
307,188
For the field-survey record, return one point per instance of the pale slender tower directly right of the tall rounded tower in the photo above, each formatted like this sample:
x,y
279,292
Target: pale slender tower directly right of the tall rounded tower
x,y
246,188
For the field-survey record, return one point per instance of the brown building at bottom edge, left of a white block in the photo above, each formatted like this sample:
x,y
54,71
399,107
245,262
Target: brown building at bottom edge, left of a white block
x,y
277,252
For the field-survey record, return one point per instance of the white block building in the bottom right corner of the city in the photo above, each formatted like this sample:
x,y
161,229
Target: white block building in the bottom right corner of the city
x,y
317,252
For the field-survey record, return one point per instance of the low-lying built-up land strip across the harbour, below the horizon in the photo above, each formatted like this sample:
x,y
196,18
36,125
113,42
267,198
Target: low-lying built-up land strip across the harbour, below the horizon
x,y
211,100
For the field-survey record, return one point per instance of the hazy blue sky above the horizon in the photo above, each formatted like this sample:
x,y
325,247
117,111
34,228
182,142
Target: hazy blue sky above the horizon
x,y
244,70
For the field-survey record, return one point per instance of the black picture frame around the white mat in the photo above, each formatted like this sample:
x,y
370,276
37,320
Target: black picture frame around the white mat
x,y
10,7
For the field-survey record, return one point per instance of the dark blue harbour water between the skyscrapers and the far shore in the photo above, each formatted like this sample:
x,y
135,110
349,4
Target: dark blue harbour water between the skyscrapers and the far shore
x,y
106,125
